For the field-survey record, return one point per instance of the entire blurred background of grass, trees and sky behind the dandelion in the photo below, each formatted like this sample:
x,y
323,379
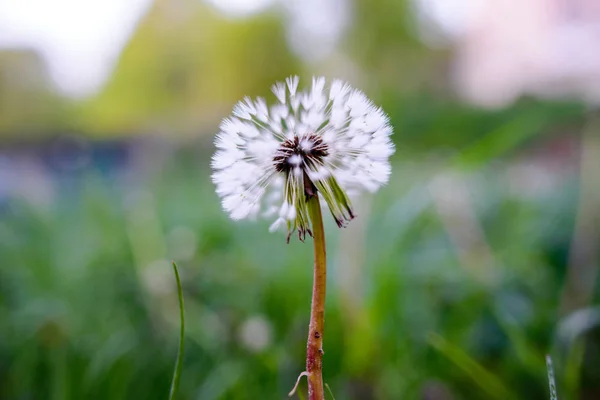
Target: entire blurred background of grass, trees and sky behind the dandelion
x,y
480,256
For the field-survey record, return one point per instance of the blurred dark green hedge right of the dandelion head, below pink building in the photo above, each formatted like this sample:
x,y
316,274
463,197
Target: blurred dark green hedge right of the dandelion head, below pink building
x,y
427,122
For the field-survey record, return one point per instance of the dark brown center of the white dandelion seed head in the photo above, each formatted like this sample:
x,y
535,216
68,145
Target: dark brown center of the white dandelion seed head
x,y
302,151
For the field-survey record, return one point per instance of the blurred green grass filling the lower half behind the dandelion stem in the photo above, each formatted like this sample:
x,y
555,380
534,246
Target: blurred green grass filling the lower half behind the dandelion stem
x,y
89,305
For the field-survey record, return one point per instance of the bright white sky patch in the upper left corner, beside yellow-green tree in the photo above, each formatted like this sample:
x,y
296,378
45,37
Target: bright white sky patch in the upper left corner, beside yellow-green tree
x,y
80,40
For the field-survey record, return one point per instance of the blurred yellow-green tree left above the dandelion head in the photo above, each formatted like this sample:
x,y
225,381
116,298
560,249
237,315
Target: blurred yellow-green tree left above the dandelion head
x,y
186,66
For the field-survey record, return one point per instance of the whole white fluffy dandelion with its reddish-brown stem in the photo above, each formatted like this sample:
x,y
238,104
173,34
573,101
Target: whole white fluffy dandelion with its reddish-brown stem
x,y
312,147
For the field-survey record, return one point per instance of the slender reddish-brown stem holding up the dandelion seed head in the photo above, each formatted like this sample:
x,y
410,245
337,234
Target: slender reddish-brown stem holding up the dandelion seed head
x,y
314,347
